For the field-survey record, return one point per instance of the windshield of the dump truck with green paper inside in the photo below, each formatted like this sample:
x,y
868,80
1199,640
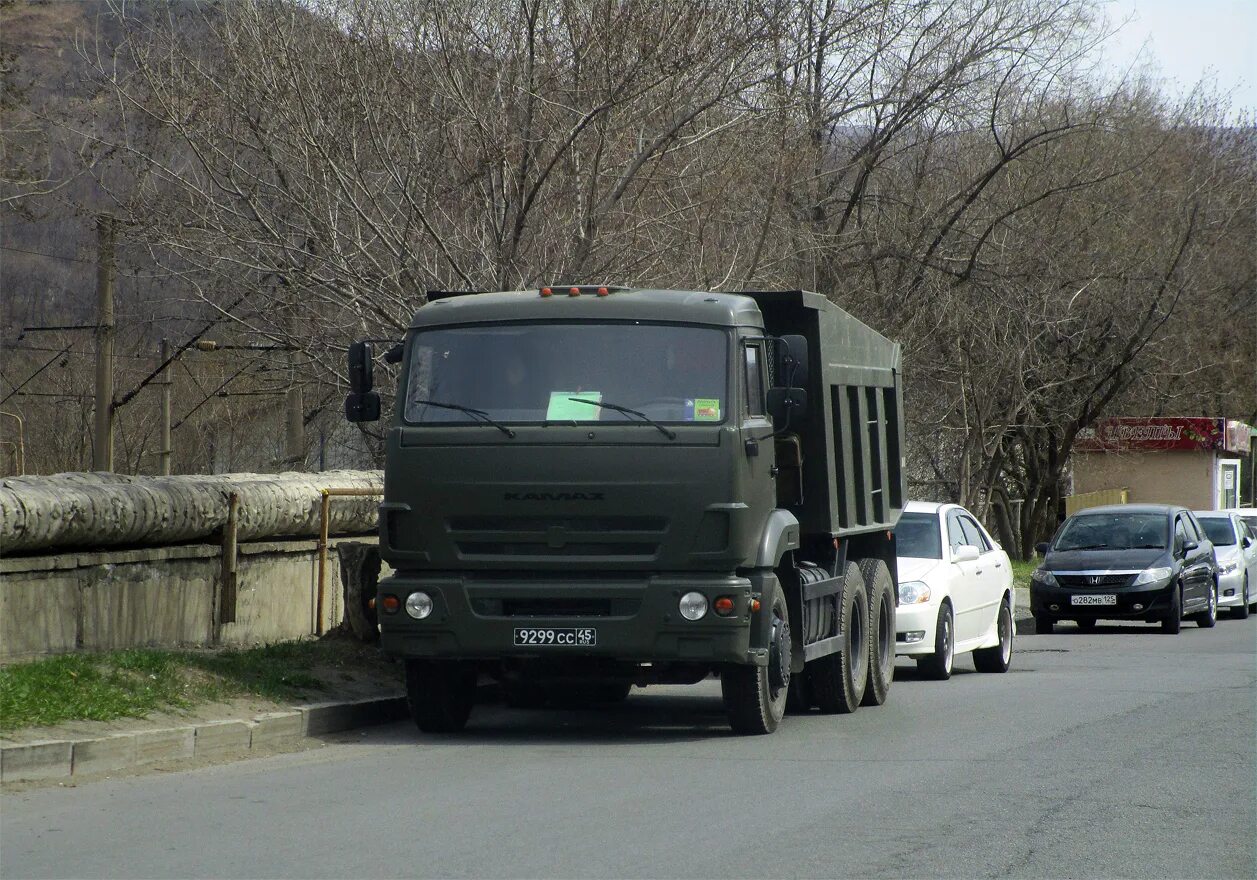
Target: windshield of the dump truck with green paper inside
x,y
560,373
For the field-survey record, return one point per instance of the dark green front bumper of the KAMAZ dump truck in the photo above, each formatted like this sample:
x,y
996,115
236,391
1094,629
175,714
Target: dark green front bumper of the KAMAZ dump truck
x,y
635,619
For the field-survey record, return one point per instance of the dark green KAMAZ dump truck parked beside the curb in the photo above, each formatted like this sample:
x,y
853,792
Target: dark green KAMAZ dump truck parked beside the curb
x,y
591,488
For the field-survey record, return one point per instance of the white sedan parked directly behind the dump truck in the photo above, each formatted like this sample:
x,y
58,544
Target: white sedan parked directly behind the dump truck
x,y
956,591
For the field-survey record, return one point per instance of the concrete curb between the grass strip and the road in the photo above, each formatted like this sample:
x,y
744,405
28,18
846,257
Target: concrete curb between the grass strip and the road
x,y
66,759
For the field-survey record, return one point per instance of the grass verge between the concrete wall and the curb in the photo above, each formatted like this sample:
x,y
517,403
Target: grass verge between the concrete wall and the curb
x,y
134,683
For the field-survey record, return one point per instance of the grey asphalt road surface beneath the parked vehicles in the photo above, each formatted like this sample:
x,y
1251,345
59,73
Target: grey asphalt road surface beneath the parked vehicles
x,y
1126,754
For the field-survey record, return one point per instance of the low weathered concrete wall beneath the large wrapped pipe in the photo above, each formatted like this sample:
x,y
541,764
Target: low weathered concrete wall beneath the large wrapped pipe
x,y
174,597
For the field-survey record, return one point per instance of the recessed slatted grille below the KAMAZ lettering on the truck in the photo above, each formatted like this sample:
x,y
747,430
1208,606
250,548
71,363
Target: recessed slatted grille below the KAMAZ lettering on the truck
x,y
557,536
